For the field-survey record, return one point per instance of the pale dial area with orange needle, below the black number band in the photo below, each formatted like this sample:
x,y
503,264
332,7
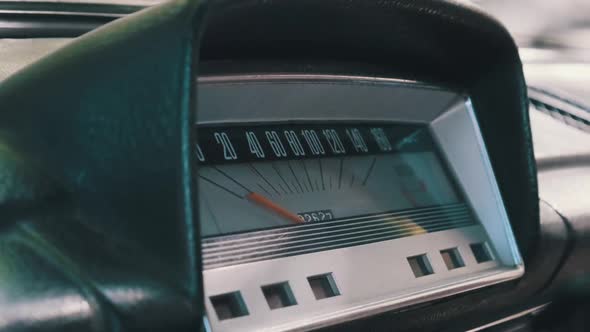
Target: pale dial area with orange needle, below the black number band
x,y
260,195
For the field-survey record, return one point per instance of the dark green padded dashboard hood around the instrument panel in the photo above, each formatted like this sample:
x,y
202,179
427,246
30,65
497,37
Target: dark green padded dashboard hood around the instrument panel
x,y
96,136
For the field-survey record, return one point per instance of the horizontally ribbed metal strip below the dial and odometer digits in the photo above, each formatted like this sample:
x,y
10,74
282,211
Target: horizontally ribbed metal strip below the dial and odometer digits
x,y
251,249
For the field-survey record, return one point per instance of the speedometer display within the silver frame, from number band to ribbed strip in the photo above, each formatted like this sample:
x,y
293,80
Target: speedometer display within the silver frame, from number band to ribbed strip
x,y
276,190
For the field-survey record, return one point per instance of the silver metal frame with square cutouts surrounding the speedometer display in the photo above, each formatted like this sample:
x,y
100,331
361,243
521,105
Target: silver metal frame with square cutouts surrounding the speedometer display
x,y
452,121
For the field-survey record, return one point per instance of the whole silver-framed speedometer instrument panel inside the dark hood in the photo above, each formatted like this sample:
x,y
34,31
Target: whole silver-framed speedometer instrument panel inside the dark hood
x,y
329,198
